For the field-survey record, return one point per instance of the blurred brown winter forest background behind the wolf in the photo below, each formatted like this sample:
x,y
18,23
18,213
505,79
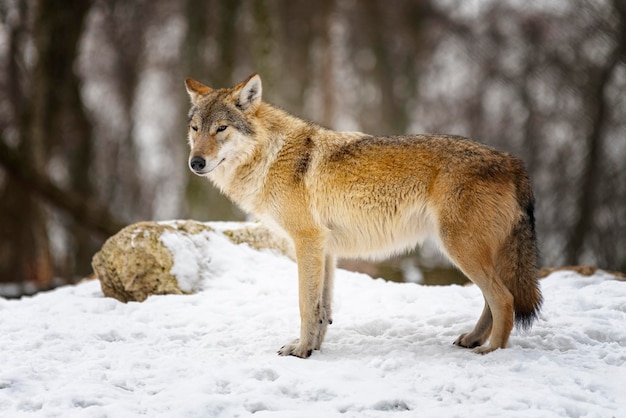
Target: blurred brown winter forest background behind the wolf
x,y
93,106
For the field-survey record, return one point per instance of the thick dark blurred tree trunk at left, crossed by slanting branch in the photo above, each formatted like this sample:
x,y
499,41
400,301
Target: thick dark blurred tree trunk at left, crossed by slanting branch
x,y
59,121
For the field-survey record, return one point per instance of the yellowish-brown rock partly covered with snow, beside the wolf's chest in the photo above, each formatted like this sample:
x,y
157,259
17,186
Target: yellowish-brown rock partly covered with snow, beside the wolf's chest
x,y
155,258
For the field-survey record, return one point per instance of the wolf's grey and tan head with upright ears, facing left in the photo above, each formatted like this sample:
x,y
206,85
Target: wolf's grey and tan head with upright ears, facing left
x,y
220,127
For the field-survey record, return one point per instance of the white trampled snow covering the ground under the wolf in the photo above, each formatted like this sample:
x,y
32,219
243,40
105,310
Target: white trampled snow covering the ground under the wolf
x,y
72,352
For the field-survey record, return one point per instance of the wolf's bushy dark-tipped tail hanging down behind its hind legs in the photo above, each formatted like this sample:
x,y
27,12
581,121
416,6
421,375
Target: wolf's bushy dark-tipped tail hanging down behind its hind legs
x,y
517,260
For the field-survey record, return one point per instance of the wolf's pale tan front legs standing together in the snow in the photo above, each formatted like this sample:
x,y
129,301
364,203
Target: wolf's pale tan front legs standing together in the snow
x,y
315,276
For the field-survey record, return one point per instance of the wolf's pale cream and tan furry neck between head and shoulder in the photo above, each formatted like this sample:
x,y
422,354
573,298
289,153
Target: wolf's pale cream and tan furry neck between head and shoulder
x,y
244,181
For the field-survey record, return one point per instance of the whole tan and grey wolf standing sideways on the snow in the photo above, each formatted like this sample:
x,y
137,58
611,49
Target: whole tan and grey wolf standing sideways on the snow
x,y
348,194
